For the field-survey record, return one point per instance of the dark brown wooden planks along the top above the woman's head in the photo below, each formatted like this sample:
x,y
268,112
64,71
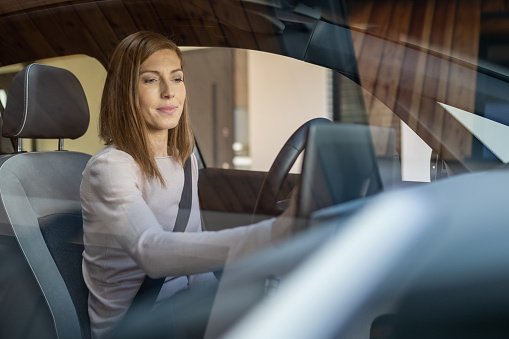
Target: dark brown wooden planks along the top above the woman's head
x,y
36,29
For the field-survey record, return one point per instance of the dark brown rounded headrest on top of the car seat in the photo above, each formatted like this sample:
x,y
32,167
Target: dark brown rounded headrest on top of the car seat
x,y
45,102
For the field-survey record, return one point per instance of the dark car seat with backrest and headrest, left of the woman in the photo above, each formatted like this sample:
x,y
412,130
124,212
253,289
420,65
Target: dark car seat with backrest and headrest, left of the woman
x,y
39,191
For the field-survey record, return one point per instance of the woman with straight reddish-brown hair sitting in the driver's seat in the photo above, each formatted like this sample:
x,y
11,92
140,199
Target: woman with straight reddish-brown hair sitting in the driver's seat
x,y
131,188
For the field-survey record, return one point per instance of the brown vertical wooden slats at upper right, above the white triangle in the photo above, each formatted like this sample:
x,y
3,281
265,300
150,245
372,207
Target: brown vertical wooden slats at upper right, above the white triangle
x,y
414,54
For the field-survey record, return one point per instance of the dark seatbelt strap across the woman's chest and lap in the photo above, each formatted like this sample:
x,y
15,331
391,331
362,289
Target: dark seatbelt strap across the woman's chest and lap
x,y
150,288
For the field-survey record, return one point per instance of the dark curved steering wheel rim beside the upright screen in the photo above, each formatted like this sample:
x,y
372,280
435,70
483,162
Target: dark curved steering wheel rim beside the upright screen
x,y
266,203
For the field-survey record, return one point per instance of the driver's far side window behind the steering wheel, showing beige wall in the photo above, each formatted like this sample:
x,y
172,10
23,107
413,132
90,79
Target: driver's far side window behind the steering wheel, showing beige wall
x,y
245,110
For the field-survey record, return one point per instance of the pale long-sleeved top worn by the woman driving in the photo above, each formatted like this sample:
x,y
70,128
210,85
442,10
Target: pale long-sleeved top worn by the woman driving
x,y
128,222
